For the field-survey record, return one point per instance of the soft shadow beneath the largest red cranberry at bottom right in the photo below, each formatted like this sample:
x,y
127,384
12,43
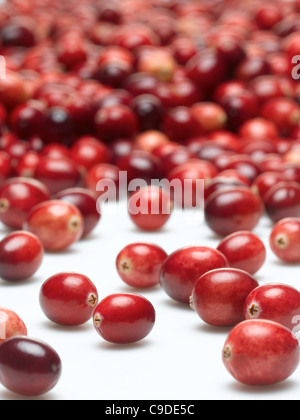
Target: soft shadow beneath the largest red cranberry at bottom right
x,y
287,385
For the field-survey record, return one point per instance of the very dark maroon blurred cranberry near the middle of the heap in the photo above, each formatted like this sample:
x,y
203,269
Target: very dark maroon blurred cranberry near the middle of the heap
x,y
149,110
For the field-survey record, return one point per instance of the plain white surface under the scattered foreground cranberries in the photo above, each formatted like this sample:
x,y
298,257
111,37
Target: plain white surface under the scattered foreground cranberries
x,y
180,359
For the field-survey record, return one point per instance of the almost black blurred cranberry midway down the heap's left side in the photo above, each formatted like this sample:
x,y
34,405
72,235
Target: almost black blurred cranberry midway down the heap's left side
x,y
59,125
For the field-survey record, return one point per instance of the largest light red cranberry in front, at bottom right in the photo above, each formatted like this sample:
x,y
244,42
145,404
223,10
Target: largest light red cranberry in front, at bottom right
x,y
271,359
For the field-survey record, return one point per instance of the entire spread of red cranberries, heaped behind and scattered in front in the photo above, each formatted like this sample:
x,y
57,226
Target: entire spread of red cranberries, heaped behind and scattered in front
x,y
174,90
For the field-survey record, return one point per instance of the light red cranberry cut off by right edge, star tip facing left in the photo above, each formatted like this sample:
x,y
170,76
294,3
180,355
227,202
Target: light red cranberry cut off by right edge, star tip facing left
x,y
285,240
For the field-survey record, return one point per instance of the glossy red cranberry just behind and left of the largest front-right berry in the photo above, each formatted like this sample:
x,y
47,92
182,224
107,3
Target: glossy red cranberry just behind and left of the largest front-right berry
x,y
219,296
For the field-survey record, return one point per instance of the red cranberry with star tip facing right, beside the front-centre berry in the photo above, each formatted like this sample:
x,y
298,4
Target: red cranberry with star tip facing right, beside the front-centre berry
x,y
68,299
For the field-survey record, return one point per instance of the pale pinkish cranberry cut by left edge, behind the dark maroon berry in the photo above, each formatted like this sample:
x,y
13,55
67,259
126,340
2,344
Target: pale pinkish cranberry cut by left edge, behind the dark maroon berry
x,y
11,325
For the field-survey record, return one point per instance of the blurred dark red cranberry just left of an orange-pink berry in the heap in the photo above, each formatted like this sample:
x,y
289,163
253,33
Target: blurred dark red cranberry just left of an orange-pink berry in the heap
x,y
180,124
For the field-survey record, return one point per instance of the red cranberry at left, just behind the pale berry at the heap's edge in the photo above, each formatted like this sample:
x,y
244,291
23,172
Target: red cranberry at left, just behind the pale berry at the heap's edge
x,y
58,173
